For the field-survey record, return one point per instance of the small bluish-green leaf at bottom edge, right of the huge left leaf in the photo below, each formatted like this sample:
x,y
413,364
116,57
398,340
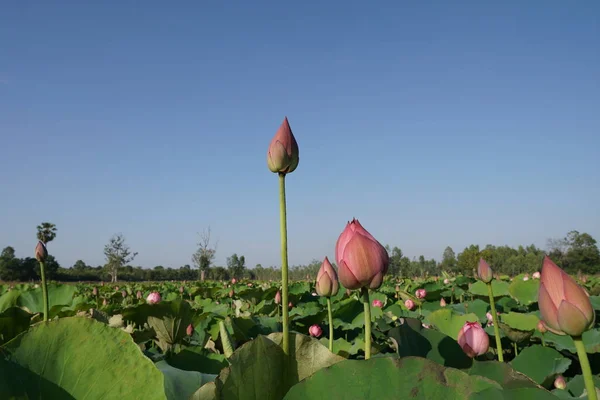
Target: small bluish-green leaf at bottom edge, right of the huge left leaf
x,y
180,384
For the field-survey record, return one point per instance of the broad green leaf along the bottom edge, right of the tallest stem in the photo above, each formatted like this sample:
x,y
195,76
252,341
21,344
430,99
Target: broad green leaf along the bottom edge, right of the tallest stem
x,y
388,378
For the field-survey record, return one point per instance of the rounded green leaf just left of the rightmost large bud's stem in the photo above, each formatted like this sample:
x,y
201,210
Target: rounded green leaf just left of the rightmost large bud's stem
x,y
540,363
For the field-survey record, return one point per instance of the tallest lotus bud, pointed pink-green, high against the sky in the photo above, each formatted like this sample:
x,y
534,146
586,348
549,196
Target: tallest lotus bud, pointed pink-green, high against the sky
x,y
283,153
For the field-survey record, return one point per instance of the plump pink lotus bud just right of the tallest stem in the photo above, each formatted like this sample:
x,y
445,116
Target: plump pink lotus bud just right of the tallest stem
x,y
362,260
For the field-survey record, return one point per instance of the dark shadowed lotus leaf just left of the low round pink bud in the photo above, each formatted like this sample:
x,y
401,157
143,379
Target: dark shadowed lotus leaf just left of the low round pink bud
x,y
412,339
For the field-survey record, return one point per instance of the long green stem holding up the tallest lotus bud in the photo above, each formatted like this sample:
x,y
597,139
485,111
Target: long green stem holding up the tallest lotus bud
x,y
284,265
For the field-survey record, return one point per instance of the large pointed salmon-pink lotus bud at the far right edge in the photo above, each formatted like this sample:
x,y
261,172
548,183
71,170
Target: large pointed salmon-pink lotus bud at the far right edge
x,y
565,307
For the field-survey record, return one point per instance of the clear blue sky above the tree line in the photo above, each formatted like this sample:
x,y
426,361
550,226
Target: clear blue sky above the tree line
x,y
434,123
